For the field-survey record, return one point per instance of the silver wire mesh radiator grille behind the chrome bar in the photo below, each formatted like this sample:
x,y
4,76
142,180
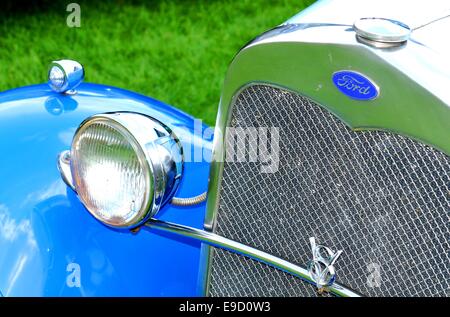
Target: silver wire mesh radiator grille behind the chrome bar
x,y
382,198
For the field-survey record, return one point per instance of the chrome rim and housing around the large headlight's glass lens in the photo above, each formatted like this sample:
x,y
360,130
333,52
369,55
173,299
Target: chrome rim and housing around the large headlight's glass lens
x,y
143,133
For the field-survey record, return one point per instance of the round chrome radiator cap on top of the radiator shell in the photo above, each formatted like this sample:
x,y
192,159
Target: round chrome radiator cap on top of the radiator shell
x,y
381,30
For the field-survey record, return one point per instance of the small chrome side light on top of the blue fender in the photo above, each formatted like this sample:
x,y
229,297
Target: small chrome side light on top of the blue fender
x,y
65,75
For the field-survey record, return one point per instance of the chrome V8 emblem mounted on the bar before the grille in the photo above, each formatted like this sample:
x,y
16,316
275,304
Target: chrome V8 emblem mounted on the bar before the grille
x,y
321,267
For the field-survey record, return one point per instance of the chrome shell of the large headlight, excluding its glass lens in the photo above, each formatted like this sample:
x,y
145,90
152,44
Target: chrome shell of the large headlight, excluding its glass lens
x,y
160,149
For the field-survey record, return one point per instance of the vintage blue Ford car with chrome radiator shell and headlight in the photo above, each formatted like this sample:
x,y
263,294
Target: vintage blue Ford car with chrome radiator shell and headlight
x,y
328,172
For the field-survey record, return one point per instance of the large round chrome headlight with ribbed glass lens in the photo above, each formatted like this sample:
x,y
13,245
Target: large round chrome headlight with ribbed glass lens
x,y
121,170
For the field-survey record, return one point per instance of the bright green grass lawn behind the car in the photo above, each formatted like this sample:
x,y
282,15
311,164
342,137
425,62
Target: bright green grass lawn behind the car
x,y
175,51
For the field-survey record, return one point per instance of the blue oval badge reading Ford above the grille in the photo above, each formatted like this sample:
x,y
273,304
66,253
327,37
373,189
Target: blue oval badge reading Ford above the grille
x,y
355,85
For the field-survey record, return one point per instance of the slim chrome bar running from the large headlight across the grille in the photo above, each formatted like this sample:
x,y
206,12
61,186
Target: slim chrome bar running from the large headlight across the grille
x,y
215,240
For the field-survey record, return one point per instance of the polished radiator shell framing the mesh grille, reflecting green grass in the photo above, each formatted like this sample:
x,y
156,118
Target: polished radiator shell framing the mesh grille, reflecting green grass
x,y
303,54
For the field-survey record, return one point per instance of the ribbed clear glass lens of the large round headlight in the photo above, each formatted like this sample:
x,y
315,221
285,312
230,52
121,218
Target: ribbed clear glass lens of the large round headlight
x,y
110,173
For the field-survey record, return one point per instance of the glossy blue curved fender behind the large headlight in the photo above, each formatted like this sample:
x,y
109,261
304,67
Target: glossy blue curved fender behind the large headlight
x,y
46,234
